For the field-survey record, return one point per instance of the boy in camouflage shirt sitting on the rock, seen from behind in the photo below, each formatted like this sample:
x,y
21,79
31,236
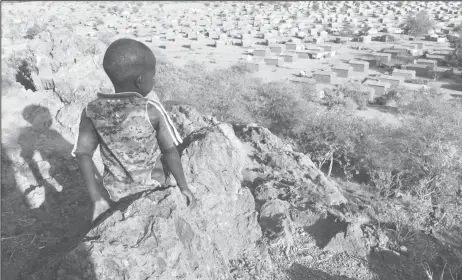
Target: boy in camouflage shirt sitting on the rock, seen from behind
x,y
135,135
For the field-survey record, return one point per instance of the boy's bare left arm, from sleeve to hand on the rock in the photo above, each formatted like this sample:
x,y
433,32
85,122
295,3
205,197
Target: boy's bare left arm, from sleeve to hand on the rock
x,y
100,202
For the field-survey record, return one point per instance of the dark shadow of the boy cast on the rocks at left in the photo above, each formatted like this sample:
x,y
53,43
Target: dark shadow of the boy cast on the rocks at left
x,y
48,156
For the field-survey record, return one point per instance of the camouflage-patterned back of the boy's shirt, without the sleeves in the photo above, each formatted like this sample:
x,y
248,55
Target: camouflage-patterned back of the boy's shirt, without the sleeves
x,y
128,143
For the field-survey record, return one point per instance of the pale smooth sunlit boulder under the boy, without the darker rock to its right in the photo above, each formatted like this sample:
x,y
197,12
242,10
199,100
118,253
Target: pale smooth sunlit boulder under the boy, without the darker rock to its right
x,y
197,244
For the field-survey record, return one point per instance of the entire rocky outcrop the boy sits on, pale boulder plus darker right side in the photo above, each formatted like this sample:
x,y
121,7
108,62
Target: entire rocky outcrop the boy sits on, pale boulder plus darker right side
x,y
154,236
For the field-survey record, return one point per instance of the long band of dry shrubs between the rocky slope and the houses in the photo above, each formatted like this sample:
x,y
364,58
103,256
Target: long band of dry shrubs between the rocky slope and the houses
x,y
422,157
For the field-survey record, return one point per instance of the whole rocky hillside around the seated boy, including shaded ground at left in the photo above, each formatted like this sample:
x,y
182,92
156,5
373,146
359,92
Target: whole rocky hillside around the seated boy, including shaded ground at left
x,y
265,211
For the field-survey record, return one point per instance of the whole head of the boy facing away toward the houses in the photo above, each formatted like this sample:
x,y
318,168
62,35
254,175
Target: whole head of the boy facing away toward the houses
x,y
130,65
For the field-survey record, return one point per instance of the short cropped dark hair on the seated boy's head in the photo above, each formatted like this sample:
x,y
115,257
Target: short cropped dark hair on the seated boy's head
x,y
126,59
